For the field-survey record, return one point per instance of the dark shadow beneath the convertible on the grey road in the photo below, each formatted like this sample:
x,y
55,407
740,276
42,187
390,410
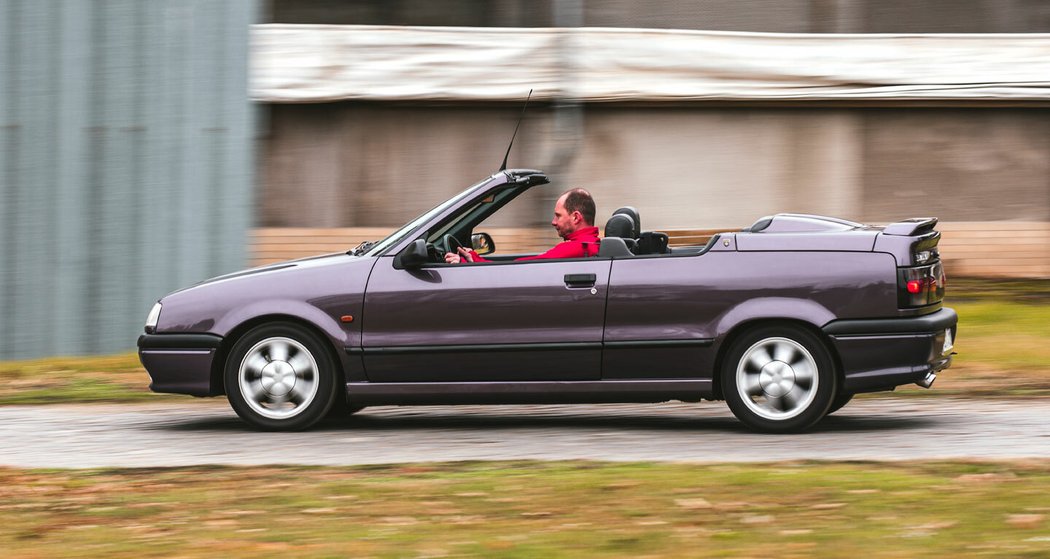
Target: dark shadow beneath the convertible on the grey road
x,y
419,419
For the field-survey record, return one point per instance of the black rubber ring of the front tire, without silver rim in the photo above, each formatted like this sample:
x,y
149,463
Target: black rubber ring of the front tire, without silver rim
x,y
322,403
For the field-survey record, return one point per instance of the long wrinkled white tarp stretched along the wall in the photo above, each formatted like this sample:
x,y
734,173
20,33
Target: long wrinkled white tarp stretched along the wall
x,y
320,64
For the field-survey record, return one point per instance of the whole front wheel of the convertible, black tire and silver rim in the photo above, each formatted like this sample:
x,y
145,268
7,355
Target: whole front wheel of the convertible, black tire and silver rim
x,y
281,377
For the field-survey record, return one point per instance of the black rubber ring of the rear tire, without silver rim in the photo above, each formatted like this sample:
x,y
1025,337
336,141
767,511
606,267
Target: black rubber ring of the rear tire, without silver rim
x,y
827,380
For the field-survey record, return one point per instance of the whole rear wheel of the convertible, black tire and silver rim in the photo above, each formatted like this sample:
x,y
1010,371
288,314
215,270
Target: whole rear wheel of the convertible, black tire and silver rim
x,y
780,379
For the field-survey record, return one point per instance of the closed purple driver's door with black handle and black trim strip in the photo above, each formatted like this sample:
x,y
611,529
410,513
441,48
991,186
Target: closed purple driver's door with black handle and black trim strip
x,y
524,321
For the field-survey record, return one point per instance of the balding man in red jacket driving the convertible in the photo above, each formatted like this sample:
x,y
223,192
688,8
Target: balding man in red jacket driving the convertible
x,y
575,223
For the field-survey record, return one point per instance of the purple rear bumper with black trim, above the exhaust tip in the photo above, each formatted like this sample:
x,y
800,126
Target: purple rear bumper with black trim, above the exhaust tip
x,y
884,354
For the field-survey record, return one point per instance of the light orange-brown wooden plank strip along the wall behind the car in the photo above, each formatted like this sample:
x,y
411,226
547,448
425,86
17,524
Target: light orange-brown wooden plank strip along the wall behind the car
x,y
979,250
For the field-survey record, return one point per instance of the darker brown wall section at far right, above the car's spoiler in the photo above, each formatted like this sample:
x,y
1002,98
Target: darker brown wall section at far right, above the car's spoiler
x,y
970,164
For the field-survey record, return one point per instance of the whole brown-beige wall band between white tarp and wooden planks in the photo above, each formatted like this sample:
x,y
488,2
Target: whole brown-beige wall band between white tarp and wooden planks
x,y
380,165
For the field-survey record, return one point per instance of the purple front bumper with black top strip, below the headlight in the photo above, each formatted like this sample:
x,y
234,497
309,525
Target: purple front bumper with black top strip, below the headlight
x,y
180,364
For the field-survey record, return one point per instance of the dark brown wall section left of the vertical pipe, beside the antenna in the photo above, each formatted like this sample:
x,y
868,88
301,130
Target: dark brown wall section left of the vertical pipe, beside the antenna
x,y
362,164
